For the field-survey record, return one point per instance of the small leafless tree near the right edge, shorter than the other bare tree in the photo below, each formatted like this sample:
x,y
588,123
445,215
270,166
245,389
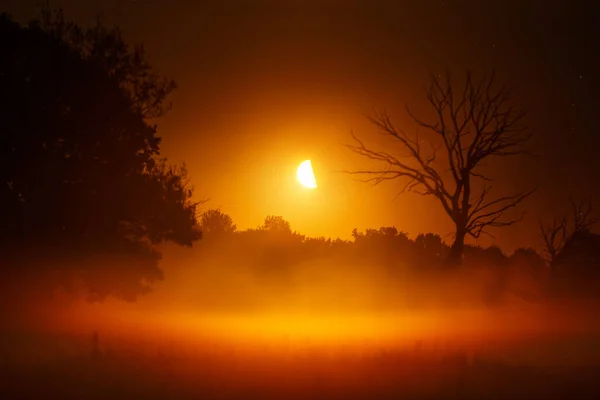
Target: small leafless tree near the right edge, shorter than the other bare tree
x,y
558,233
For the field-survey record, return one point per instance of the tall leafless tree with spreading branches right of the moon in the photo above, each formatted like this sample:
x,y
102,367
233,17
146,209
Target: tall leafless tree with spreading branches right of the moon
x,y
475,122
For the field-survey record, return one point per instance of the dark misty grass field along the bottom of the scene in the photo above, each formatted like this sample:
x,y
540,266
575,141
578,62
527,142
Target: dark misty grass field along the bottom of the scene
x,y
115,366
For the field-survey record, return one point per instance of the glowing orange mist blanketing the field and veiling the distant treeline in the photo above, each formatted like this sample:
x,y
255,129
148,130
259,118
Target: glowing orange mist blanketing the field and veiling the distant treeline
x,y
342,319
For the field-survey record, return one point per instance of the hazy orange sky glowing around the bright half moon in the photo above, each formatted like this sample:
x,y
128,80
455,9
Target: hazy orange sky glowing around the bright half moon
x,y
266,84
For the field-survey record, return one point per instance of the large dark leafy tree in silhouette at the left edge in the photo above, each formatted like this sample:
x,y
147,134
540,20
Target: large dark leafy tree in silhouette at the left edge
x,y
81,178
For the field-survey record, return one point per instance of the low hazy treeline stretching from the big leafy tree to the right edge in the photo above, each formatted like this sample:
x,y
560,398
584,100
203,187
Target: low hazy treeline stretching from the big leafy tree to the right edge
x,y
275,248
